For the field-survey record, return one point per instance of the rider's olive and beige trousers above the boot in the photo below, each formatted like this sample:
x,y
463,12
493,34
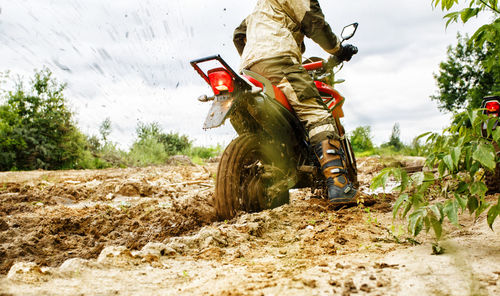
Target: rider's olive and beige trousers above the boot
x,y
299,88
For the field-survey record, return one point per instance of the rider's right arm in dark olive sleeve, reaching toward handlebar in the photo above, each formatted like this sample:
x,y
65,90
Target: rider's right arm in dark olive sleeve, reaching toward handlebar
x,y
314,26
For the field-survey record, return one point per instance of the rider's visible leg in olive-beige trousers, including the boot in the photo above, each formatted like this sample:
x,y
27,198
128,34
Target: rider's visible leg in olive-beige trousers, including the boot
x,y
305,99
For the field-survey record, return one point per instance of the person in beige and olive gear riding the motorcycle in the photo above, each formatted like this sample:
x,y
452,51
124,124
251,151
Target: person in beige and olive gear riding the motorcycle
x,y
270,42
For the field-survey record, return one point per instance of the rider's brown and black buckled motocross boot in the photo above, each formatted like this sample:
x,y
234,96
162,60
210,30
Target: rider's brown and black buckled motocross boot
x,y
332,160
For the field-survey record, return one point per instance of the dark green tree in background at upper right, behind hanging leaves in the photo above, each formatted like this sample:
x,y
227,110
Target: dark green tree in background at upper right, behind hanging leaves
x,y
462,79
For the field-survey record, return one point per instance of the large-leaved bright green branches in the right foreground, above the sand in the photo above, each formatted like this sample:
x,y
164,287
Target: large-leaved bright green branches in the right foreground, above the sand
x,y
461,155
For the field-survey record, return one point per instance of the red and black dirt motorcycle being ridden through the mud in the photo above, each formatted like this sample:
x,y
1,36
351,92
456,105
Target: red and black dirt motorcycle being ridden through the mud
x,y
272,153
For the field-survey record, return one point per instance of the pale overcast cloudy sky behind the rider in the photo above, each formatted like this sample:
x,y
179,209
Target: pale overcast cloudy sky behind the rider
x,y
129,60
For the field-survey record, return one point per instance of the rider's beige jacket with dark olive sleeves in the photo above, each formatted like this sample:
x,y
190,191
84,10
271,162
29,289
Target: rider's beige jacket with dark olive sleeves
x,y
276,28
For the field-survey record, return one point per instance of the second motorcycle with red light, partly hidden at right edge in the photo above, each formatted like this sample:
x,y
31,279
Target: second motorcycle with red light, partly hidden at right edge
x,y
491,107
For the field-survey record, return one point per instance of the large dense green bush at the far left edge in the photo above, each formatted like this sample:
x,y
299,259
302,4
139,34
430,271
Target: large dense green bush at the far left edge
x,y
36,127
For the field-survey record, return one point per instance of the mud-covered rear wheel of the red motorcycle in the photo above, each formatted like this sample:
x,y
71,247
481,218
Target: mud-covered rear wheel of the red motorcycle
x,y
244,178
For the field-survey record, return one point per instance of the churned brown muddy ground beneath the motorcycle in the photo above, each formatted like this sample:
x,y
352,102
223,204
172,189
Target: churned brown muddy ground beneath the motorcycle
x,y
152,231
